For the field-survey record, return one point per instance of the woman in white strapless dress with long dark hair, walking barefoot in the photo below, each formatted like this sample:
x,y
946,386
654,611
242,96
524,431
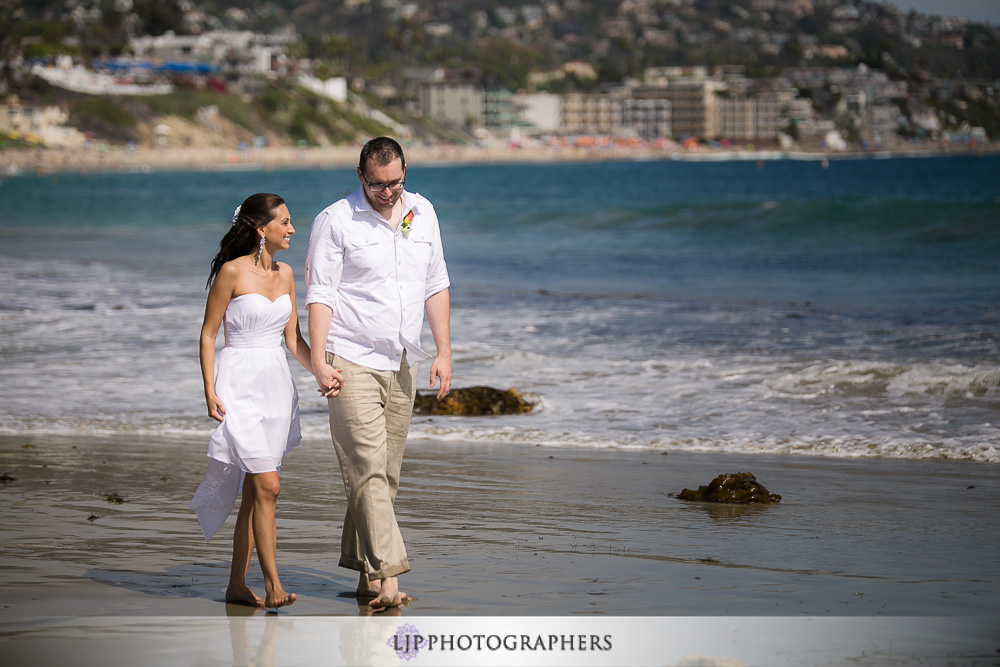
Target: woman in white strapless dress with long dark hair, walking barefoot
x,y
249,389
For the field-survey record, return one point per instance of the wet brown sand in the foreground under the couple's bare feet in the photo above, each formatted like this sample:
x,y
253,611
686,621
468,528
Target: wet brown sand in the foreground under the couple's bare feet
x,y
505,531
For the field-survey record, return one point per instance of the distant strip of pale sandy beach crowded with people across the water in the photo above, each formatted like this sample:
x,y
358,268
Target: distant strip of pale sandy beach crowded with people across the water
x,y
143,160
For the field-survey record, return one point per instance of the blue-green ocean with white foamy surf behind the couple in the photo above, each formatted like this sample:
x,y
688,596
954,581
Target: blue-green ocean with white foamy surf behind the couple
x,y
851,310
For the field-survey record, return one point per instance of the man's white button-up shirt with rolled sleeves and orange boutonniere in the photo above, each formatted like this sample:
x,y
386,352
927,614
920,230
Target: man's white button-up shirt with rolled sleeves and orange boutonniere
x,y
375,279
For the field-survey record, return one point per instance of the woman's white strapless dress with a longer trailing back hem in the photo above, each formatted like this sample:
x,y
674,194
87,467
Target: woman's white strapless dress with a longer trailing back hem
x,y
262,406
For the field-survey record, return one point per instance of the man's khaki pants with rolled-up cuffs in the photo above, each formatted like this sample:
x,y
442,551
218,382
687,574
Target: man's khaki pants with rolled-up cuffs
x,y
369,421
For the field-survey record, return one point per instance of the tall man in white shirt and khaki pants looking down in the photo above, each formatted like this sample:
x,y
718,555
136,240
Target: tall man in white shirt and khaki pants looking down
x,y
374,266
